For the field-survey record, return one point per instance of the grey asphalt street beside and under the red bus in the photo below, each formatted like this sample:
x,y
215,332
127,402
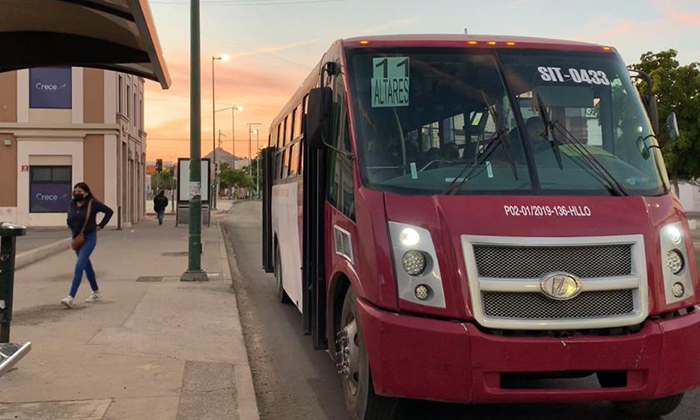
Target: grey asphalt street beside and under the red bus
x,y
293,381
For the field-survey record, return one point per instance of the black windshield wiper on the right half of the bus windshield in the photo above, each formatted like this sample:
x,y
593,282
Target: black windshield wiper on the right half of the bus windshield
x,y
593,166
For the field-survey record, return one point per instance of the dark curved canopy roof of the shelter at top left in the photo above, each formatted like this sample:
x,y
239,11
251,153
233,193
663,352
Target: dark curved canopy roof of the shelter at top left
x,y
110,34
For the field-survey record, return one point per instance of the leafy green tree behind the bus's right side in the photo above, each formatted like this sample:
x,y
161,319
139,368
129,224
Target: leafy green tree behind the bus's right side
x,y
677,89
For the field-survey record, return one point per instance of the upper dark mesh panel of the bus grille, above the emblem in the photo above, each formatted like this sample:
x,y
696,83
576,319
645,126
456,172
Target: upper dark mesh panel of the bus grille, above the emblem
x,y
498,261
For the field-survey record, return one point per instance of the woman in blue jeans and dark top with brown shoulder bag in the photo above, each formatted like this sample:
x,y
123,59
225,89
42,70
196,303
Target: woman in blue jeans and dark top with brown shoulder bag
x,y
80,222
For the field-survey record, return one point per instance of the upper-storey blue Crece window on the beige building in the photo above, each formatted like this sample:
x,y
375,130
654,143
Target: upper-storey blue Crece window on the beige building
x,y
50,88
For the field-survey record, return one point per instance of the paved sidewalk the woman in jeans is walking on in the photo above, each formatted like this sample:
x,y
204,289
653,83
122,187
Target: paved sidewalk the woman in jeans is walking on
x,y
154,348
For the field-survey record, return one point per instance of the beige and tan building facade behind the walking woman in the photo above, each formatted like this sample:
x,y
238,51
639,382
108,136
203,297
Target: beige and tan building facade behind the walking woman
x,y
60,126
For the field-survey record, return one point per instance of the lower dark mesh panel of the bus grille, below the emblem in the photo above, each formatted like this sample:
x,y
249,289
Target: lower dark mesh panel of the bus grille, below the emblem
x,y
597,304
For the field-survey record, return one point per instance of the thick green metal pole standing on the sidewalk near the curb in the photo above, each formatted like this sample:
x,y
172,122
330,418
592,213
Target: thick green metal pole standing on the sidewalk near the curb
x,y
194,261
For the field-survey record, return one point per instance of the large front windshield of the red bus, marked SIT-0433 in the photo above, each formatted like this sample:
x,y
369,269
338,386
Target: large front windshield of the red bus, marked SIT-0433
x,y
426,119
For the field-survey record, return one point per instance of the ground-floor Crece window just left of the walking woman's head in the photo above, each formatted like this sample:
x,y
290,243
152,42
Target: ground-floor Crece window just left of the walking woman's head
x,y
50,189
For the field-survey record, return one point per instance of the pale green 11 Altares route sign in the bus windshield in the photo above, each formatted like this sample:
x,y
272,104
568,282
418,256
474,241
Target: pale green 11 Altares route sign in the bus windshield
x,y
390,81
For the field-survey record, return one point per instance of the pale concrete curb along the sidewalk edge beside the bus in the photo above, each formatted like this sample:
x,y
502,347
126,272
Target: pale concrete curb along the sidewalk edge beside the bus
x,y
246,399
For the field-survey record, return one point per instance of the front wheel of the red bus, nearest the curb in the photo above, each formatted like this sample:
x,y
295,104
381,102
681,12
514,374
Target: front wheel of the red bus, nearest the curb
x,y
353,365
